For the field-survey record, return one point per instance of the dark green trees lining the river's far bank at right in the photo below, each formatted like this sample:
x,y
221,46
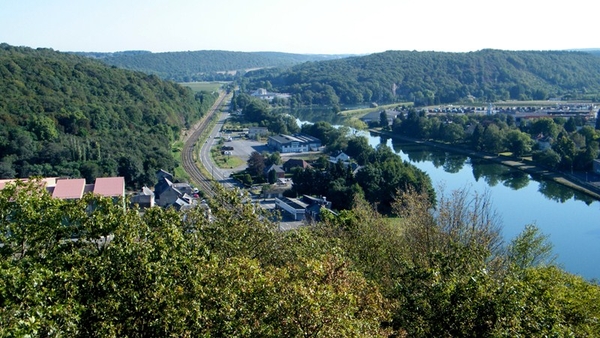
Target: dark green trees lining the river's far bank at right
x,y
572,143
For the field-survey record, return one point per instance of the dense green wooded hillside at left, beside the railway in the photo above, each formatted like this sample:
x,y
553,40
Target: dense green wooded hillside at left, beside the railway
x,y
67,115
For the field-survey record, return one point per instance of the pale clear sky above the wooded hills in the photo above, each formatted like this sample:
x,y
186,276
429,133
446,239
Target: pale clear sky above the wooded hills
x,y
306,26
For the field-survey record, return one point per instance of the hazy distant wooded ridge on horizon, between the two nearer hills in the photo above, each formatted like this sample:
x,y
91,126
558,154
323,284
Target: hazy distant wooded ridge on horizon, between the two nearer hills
x,y
202,65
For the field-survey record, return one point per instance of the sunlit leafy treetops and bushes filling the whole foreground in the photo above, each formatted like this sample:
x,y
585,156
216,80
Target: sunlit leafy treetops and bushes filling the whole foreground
x,y
427,274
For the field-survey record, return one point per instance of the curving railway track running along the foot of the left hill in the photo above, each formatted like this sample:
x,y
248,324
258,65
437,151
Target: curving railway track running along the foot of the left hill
x,y
203,182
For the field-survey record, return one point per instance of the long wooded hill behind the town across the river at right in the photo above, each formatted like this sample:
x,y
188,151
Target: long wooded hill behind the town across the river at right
x,y
438,77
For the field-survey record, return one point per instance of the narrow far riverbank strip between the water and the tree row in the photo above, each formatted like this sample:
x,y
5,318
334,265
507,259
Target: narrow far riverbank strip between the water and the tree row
x,y
590,188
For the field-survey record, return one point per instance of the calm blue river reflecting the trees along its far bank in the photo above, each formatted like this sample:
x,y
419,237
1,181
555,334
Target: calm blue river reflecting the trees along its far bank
x,y
570,219
